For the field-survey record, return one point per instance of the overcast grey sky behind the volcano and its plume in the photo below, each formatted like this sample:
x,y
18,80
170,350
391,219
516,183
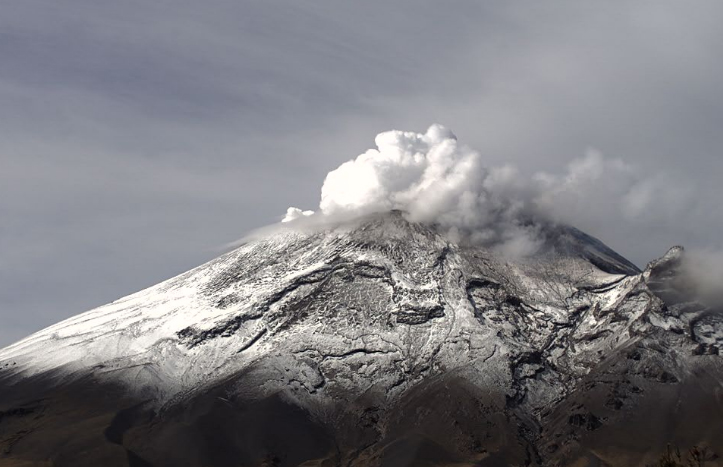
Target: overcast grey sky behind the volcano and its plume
x,y
139,138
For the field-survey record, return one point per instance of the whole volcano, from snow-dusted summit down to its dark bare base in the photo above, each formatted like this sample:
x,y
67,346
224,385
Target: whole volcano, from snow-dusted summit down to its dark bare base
x,y
377,343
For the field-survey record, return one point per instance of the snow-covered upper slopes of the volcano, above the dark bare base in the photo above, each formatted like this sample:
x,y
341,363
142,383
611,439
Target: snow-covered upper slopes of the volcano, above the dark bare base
x,y
375,303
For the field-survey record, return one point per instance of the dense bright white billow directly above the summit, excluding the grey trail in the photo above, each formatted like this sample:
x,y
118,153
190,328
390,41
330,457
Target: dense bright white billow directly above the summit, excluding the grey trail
x,y
435,179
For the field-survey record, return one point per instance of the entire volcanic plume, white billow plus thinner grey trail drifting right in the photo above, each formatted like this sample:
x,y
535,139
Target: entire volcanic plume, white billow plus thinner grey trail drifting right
x,y
434,178
